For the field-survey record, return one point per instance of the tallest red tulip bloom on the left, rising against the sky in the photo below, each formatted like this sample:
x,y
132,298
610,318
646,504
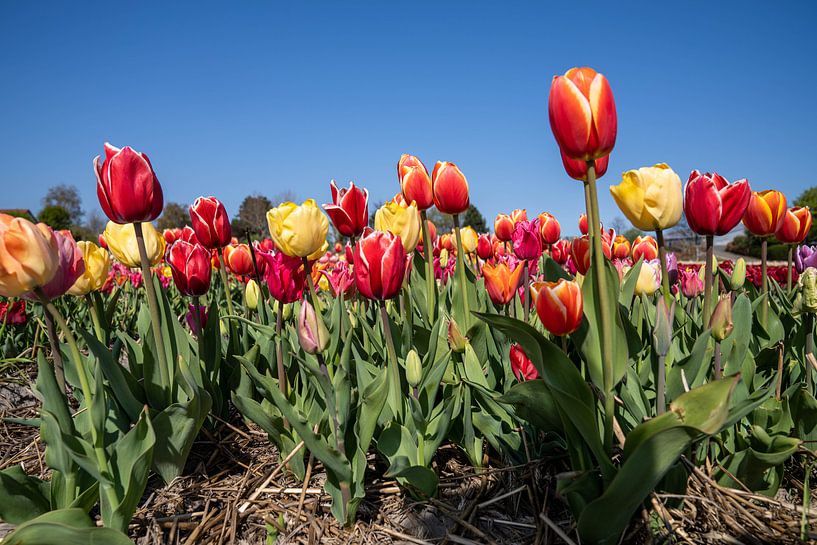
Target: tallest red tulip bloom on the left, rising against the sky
x,y
127,187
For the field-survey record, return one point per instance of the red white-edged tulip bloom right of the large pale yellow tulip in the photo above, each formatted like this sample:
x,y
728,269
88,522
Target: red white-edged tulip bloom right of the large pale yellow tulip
x,y
712,205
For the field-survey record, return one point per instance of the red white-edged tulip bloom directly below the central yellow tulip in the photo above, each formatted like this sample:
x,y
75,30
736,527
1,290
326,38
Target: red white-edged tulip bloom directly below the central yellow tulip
x,y
380,265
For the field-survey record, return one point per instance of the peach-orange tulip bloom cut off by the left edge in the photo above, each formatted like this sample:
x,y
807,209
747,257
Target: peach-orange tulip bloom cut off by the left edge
x,y
29,256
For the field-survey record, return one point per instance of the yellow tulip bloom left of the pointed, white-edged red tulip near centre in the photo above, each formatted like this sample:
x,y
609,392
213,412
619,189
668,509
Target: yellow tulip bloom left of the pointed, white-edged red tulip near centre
x,y
299,230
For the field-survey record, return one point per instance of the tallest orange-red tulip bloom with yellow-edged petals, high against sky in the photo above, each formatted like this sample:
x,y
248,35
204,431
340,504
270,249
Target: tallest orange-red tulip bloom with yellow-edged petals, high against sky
x,y
582,114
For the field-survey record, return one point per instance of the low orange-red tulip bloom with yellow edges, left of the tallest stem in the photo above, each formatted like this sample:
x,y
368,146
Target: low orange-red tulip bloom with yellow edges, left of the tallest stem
x,y
559,305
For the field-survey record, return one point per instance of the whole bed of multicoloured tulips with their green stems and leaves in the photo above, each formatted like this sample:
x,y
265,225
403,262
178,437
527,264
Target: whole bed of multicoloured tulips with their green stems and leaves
x,y
603,354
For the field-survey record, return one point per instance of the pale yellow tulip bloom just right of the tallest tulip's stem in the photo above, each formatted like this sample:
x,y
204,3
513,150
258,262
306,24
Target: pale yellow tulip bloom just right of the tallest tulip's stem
x,y
650,197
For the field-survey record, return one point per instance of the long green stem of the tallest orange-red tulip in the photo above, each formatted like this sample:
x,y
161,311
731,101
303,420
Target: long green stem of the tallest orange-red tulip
x,y
603,301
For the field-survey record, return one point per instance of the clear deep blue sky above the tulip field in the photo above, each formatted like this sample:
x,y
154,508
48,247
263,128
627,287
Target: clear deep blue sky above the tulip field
x,y
231,98
